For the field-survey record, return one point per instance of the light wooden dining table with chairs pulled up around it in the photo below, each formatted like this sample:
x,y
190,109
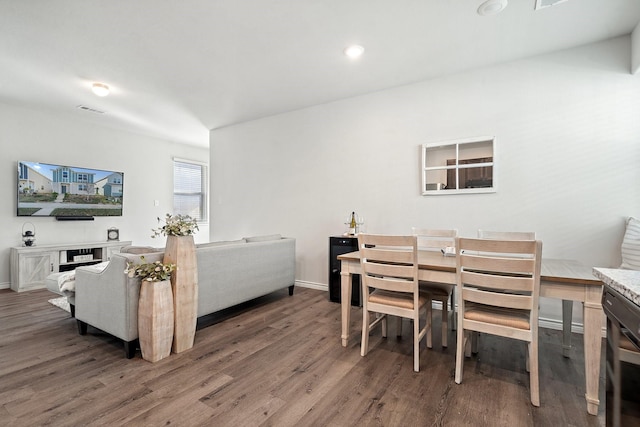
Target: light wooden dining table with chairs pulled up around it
x,y
567,280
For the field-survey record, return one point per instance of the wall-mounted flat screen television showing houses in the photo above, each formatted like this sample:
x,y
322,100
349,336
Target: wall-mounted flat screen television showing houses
x,y
68,192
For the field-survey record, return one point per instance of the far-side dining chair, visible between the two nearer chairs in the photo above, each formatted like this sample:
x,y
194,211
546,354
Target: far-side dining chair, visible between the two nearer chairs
x,y
436,240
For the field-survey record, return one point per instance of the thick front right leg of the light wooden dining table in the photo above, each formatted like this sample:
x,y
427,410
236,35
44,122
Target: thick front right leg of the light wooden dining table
x,y
592,315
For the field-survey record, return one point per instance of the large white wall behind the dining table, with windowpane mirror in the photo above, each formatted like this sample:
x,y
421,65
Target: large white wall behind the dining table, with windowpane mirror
x,y
567,148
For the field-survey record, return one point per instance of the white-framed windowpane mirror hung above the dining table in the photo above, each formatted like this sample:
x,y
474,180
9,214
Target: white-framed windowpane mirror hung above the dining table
x,y
460,166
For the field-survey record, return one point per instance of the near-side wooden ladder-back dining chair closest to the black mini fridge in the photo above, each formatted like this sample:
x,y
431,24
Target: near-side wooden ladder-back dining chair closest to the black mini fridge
x,y
390,286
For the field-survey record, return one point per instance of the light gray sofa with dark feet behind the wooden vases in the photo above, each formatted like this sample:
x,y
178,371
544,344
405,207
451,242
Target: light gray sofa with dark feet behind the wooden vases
x,y
229,273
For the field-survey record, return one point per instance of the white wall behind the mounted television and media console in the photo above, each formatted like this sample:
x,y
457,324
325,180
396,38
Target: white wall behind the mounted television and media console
x,y
63,139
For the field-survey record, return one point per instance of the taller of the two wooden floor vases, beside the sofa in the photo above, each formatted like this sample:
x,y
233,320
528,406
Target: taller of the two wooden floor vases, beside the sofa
x,y
181,251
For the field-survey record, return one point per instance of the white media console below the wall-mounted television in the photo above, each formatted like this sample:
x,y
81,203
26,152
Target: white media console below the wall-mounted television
x,y
30,265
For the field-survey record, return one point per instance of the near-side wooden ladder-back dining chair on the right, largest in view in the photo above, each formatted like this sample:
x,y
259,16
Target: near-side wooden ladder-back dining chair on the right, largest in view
x,y
498,286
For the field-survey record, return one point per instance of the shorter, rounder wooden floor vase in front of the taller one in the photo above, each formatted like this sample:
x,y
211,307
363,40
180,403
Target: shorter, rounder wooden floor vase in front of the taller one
x,y
155,320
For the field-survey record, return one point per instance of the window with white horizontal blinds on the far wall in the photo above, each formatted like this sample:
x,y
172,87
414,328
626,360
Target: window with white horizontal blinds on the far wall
x,y
189,189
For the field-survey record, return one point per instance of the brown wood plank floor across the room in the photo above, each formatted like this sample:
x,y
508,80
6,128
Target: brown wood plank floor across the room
x,y
276,362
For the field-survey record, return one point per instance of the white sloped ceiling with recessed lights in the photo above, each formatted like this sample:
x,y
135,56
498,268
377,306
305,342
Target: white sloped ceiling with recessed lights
x,y
178,68
